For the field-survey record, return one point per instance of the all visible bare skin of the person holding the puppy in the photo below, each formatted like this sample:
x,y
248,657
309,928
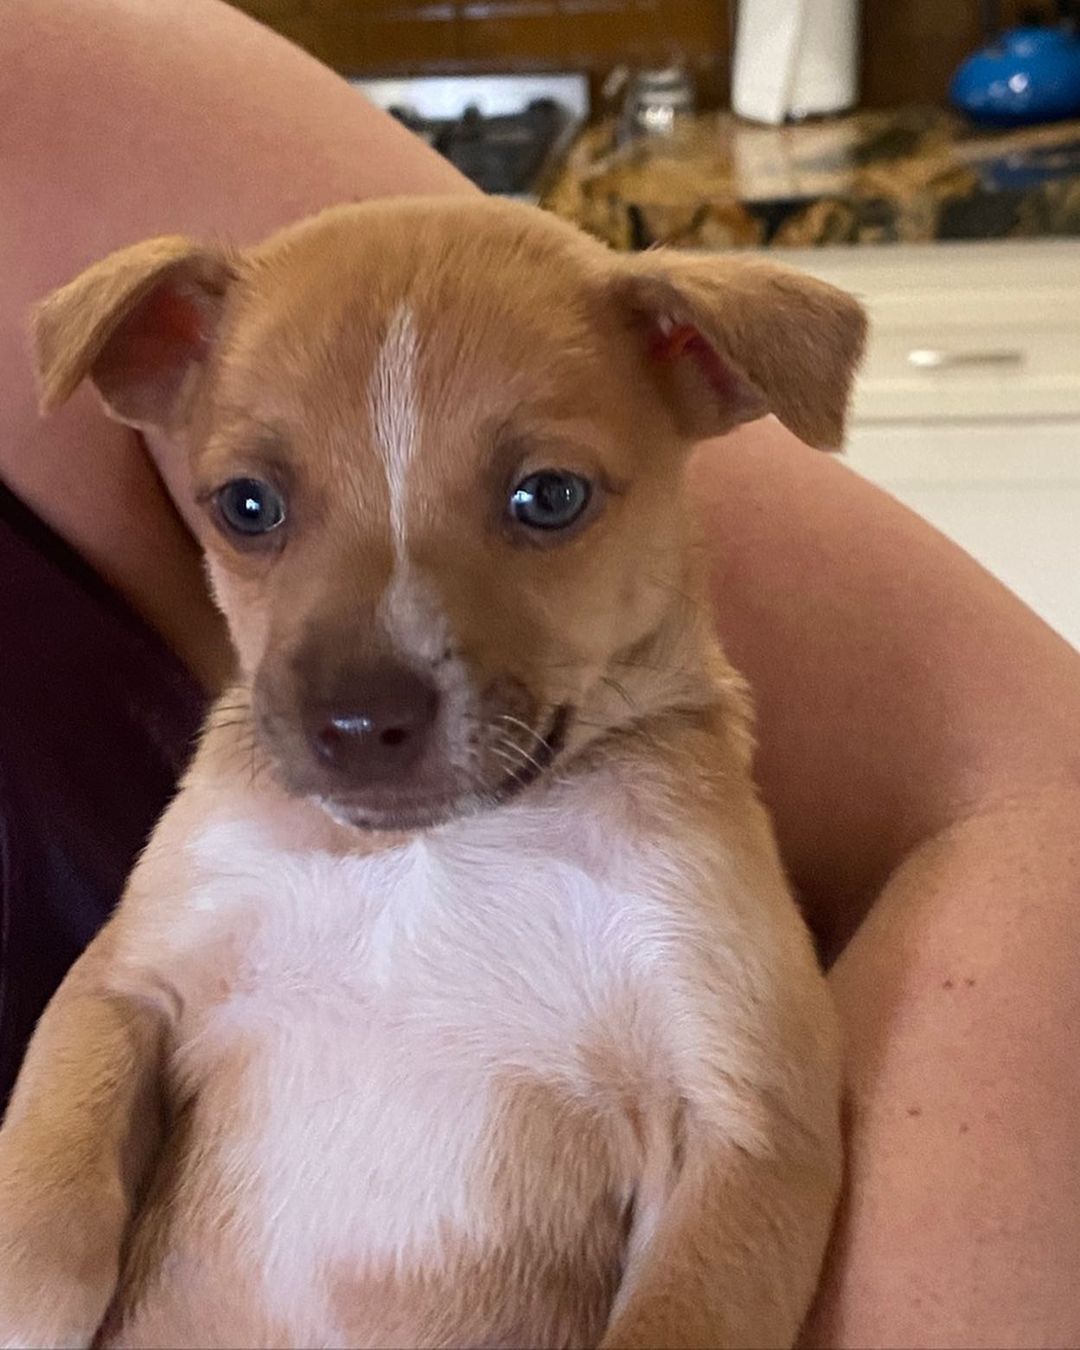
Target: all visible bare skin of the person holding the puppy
x,y
917,724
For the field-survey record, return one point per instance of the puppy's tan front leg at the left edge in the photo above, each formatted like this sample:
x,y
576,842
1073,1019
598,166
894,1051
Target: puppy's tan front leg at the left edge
x,y
82,1129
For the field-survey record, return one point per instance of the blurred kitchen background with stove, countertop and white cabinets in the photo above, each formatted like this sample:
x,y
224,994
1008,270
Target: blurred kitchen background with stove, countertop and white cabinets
x,y
924,155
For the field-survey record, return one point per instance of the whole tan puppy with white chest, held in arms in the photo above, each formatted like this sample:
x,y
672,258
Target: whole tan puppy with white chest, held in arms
x,y
460,998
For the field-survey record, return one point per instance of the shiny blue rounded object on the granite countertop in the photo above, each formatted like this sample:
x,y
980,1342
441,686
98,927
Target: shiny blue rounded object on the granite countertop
x,y
1028,75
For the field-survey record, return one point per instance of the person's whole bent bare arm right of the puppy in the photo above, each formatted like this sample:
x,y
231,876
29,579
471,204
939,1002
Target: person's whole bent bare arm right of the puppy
x,y
920,746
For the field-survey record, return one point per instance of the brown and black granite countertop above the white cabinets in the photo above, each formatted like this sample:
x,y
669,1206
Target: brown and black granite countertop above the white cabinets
x,y
913,175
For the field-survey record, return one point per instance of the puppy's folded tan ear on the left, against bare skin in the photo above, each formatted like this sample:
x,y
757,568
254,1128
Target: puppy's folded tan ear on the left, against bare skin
x,y
138,325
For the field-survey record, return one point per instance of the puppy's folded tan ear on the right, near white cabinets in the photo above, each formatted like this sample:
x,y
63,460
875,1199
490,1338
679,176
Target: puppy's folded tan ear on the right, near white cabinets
x,y
735,340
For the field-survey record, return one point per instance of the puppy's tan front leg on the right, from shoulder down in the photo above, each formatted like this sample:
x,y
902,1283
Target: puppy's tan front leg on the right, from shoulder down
x,y
742,1168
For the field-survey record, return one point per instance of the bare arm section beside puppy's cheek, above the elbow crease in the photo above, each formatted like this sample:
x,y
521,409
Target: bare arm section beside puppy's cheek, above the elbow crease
x,y
897,684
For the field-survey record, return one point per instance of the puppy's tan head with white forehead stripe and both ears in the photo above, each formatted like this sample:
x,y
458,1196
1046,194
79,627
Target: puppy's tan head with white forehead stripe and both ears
x,y
435,454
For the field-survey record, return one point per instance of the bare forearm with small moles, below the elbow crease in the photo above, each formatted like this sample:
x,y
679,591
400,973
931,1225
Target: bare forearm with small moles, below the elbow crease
x,y
962,998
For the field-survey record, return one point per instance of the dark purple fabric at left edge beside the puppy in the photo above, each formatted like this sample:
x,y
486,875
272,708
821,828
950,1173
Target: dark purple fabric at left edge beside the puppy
x,y
98,720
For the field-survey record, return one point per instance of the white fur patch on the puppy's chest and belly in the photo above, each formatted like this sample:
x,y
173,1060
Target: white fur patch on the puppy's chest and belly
x,y
380,1005
